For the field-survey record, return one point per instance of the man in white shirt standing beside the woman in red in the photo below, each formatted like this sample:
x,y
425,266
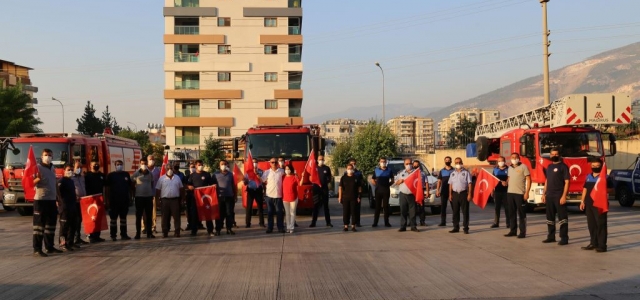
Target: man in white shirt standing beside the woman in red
x,y
272,180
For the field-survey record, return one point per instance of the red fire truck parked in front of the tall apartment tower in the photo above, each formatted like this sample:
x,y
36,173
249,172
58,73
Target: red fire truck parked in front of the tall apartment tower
x,y
292,142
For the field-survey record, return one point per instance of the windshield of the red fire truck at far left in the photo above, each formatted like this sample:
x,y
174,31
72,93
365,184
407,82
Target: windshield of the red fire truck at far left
x,y
60,154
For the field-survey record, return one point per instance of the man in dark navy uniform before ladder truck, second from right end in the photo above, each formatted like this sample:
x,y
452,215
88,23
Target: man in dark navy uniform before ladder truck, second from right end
x,y
554,196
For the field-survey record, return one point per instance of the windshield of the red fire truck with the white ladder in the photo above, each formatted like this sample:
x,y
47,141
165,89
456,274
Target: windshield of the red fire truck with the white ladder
x,y
571,144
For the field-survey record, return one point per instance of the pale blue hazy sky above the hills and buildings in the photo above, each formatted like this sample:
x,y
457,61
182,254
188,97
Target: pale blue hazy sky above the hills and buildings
x,y
434,53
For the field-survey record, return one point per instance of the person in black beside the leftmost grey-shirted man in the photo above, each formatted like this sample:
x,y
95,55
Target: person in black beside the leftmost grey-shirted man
x,y
67,206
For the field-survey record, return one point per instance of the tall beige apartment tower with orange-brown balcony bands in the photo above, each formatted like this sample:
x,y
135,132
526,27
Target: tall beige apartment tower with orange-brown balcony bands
x,y
230,65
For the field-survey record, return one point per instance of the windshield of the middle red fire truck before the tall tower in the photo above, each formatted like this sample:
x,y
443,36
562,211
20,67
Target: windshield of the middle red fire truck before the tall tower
x,y
287,145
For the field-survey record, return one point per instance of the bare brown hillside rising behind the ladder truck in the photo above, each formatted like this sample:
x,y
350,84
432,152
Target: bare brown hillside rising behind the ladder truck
x,y
616,70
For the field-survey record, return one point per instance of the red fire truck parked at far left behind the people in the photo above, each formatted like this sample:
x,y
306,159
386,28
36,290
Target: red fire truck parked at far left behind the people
x,y
67,148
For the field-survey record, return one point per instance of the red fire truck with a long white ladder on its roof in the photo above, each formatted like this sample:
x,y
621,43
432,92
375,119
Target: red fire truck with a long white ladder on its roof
x,y
572,124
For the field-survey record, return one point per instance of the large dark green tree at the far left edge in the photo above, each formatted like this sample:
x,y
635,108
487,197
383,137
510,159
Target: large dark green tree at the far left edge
x,y
17,114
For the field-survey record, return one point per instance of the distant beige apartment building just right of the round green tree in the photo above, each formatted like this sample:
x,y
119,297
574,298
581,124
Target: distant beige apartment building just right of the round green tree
x,y
415,134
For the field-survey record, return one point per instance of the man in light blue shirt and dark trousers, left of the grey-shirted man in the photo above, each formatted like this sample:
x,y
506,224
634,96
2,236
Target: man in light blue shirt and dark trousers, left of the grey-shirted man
x,y
459,195
